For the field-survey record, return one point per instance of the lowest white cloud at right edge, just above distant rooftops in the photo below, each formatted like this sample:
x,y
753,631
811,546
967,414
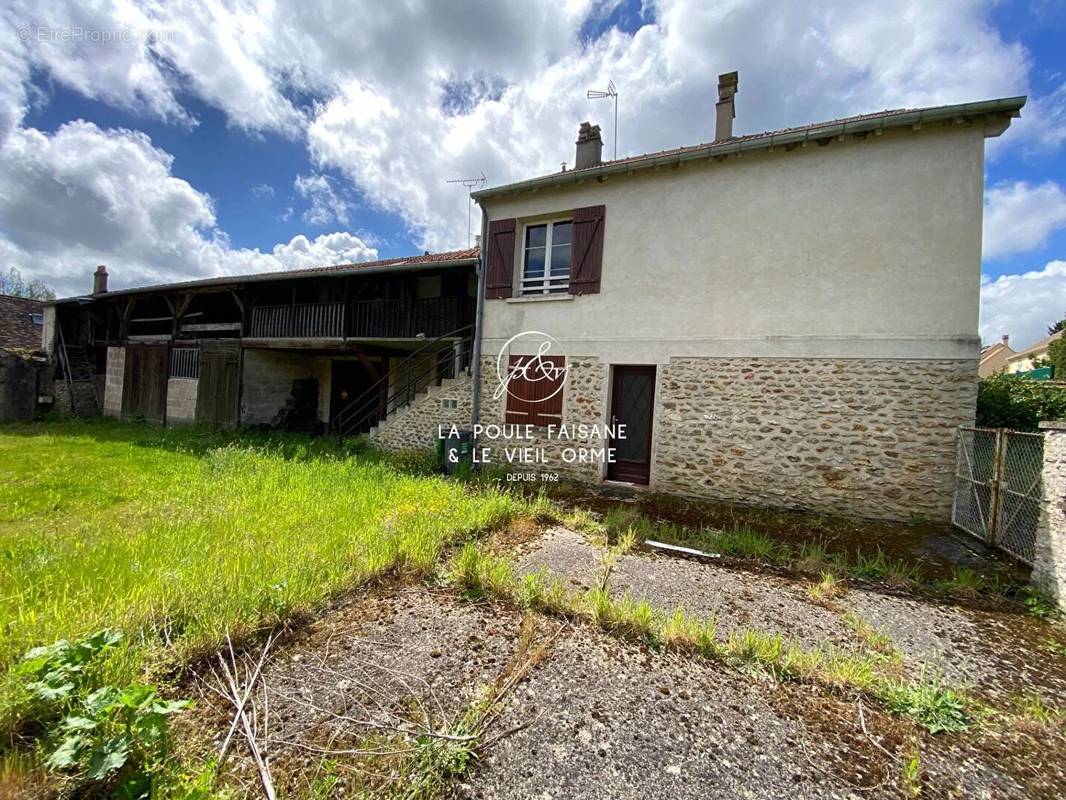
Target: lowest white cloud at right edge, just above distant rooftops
x,y
1024,306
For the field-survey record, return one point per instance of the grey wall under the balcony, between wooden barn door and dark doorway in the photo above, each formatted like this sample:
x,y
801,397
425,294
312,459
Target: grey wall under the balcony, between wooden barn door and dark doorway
x,y
268,383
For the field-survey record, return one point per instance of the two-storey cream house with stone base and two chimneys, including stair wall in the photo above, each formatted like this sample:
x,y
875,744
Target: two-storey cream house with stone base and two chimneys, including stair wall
x,y
786,319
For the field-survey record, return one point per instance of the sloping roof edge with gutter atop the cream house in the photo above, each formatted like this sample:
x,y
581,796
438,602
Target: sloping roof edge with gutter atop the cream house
x,y
881,121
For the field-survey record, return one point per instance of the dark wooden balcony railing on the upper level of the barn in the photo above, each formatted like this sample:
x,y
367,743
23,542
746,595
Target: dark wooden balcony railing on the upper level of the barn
x,y
373,319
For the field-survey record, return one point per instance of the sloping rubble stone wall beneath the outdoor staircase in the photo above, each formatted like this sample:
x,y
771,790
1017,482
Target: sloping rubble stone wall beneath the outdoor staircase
x,y
417,425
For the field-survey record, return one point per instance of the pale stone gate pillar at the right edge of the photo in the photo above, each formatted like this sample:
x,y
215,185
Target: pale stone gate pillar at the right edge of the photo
x,y
1049,565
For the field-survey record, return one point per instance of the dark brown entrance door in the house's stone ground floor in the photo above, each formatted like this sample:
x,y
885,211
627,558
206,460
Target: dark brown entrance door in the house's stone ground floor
x,y
633,405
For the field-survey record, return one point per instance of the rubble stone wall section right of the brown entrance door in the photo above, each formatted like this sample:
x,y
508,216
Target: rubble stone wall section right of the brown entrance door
x,y
865,438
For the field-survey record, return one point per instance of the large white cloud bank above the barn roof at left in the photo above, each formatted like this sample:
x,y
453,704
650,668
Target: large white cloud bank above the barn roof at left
x,y
84,197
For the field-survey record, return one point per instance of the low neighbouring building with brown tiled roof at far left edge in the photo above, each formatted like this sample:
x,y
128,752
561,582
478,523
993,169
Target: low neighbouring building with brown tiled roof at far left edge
x,y
23,375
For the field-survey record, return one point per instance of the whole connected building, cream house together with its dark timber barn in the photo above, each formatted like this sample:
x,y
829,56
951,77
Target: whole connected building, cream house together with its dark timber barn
x,y
785,319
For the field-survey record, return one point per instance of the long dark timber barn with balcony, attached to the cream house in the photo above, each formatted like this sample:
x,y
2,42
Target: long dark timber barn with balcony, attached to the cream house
x,y
332,348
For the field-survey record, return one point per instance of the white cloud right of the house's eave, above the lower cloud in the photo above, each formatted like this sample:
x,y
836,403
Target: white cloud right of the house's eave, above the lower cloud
x,y
1021,217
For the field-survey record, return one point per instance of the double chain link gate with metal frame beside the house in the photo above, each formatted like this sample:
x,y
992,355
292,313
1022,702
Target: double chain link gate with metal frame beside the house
x,y
998,488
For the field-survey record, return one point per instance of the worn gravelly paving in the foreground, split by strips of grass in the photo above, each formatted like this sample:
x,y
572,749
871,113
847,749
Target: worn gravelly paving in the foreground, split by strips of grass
x,y
597,716
